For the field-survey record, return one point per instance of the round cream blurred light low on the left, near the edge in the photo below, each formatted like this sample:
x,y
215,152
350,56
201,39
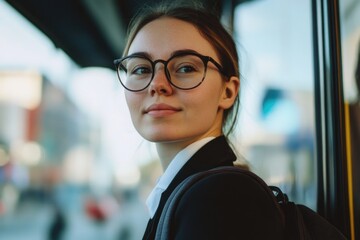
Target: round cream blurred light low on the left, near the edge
x,y
30,153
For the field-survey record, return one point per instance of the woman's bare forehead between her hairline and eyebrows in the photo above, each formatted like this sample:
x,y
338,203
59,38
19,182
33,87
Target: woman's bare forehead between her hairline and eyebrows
x,y
163,36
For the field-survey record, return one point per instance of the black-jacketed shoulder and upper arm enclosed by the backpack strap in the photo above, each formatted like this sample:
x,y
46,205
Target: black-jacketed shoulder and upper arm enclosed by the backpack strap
x,y
227,204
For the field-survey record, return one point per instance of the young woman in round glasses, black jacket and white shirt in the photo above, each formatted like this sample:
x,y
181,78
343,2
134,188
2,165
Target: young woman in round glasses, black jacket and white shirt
x,y
181,76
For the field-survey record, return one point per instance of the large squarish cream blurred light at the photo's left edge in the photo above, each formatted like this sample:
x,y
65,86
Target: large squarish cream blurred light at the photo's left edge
x,y
21,88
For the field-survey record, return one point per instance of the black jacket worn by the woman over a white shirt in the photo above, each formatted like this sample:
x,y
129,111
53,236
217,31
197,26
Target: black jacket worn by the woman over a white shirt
x,y
216,208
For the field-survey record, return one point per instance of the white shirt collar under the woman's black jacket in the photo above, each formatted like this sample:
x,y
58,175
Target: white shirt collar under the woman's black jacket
x,y
174,167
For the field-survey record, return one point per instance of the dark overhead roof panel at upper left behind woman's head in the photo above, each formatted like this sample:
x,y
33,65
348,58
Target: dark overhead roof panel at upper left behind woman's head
x,y
91,32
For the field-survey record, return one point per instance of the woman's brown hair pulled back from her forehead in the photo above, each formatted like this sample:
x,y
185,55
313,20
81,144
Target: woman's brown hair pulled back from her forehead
x,y
209,27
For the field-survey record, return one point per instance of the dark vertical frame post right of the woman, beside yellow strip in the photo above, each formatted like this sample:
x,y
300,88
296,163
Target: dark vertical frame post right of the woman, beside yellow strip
x,y
329,107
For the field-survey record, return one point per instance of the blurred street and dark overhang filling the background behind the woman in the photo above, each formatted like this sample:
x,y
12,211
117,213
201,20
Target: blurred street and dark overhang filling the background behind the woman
x,y
72,166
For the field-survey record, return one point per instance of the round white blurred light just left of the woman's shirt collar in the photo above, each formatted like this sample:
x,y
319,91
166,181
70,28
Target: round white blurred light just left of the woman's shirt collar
x,y
128,176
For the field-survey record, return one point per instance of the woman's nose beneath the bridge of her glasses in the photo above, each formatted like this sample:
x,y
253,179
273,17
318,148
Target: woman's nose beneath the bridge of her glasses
x,y
160,84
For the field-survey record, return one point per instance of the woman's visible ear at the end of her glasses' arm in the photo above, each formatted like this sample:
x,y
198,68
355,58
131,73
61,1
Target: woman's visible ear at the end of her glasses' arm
x,y
230,91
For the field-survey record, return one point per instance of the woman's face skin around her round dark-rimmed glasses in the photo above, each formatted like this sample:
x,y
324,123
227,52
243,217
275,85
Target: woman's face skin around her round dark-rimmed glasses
x,y
163,113
